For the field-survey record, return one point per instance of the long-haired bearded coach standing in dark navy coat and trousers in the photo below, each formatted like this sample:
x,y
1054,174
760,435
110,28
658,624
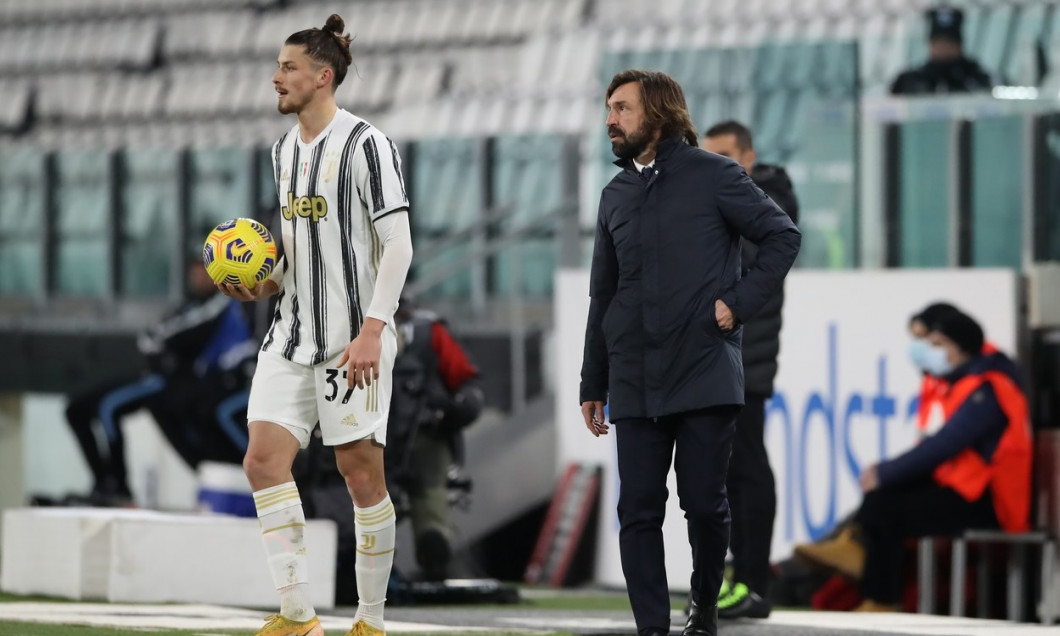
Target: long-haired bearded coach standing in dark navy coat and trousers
x,y
664,333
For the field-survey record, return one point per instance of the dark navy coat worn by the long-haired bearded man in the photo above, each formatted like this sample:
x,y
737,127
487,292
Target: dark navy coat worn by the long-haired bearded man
x,y
666,250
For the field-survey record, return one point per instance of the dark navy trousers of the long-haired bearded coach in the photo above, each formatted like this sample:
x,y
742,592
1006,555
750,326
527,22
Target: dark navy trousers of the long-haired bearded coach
x,y
699,445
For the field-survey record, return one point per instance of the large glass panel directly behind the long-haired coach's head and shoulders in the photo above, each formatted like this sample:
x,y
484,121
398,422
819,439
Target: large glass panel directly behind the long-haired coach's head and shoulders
x,y
801,102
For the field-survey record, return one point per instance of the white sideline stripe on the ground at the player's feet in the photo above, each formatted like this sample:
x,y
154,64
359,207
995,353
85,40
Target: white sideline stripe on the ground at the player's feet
x,y
179,617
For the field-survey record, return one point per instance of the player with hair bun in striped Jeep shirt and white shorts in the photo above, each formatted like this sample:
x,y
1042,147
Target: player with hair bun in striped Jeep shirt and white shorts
x,y
330,352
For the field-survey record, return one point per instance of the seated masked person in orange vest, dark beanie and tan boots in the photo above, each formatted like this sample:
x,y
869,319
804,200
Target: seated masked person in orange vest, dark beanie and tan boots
x,y
974,473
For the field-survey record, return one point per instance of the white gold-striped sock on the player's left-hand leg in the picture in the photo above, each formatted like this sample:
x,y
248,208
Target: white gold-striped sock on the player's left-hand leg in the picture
x,y
284,527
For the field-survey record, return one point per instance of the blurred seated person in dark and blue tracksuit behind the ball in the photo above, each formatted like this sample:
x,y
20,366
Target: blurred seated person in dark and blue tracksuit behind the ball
x,y
197,359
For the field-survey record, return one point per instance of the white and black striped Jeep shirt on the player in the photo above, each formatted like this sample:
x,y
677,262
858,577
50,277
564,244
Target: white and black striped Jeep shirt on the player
x,y
331,192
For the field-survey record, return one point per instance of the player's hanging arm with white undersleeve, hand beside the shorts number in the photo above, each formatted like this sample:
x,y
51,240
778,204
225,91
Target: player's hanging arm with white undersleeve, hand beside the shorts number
x,y
380,184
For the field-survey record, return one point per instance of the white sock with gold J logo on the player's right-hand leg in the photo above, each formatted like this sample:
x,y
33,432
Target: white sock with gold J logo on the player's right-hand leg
x,y
376,556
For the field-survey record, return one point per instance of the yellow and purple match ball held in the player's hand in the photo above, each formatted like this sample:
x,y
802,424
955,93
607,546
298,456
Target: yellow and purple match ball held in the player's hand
x,y
240,252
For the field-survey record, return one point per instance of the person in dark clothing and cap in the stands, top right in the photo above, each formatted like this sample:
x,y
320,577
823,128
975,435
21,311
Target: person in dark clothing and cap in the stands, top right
x,y
947,70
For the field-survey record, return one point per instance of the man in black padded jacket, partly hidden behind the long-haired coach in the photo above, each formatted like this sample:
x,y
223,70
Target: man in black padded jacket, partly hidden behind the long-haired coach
x,y
752,490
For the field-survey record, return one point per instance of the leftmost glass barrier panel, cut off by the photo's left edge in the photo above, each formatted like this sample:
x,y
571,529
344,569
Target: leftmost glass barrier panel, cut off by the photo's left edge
x,y
23,201
